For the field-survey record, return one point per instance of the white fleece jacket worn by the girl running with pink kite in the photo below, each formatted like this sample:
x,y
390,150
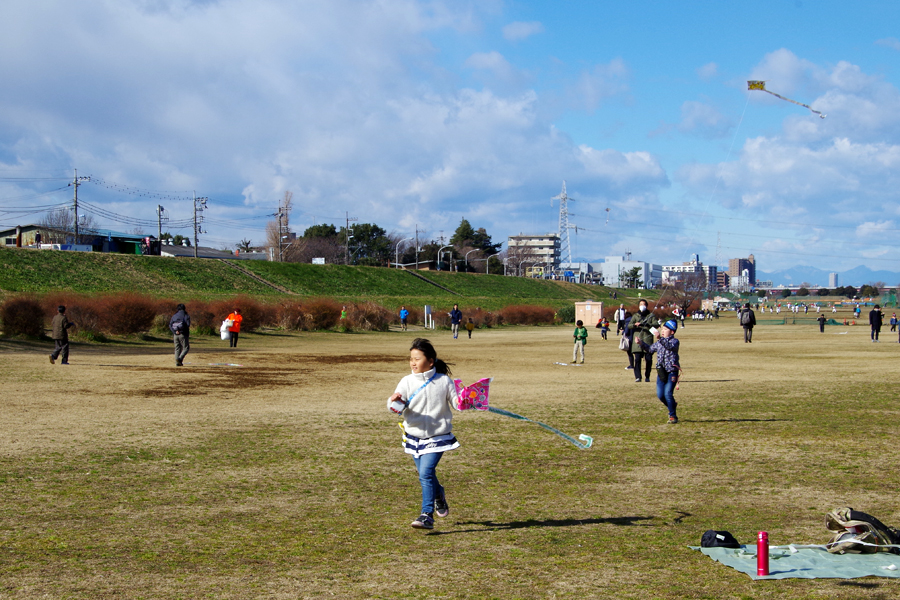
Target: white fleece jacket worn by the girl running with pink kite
x,y
429,412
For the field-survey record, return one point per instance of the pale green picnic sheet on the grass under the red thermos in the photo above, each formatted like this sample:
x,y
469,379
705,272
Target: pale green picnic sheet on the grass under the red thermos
x,y
808,562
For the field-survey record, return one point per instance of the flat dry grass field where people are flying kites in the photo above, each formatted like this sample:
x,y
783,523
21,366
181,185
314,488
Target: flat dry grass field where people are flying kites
x,y
124,477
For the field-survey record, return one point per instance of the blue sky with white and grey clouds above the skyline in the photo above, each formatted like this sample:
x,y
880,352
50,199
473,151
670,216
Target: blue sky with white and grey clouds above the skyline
x,y
410,113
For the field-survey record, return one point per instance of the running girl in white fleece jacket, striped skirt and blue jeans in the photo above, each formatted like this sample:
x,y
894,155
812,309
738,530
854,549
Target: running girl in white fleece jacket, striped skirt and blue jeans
x,y
425,399
